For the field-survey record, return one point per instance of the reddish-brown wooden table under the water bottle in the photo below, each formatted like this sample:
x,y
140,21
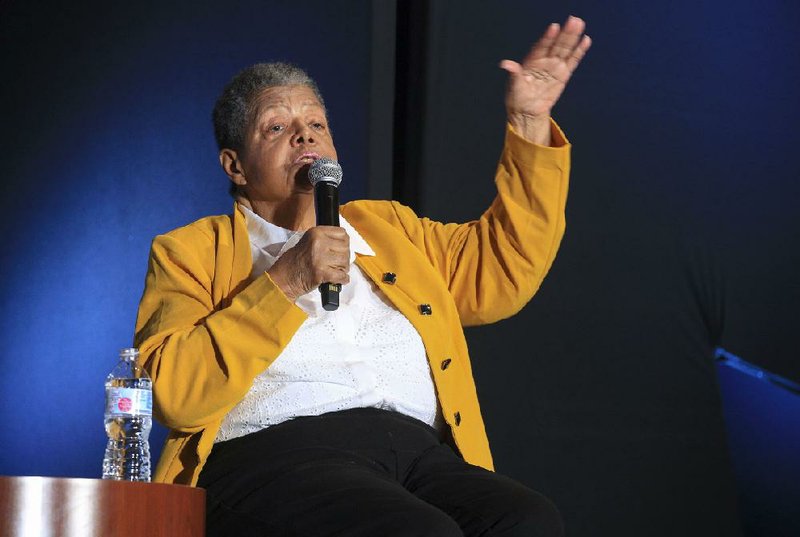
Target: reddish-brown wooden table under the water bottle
x,y
59,507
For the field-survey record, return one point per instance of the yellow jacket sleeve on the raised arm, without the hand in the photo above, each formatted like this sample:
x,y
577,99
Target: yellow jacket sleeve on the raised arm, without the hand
x,y
492,266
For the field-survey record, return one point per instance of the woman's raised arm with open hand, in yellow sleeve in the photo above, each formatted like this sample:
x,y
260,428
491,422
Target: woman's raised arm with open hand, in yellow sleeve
x,y
494,265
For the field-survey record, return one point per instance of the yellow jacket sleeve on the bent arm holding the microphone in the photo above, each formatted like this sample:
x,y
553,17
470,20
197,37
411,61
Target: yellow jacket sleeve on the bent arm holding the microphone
x,y
198,347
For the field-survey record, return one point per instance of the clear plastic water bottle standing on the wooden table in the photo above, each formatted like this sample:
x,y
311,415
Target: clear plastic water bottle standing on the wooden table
x,y
128,417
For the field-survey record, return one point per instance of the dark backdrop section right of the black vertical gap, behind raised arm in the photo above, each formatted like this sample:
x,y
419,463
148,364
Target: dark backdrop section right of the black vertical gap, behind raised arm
x,y
682,234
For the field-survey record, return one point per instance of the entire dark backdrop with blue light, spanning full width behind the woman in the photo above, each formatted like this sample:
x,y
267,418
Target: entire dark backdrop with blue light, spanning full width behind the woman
x,y
681,235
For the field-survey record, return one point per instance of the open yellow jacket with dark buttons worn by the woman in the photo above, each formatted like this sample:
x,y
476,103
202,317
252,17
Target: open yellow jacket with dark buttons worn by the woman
x,y
206,330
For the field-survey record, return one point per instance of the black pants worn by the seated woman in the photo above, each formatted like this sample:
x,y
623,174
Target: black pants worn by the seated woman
x,y
362,472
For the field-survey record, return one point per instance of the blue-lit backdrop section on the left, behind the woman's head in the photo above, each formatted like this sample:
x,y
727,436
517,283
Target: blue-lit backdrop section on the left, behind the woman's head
x,y
108,142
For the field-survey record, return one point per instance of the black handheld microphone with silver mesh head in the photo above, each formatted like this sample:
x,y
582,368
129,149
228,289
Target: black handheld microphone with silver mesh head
x,y
325,175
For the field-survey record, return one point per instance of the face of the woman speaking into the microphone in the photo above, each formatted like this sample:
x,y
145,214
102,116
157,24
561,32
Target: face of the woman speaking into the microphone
x,y
286,133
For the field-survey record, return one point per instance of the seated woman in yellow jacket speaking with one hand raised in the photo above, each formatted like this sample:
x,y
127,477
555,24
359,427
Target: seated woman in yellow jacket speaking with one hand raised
x,y
361,421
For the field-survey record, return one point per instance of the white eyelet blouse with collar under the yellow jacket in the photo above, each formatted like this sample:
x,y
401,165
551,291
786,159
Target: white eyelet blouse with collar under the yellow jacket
x,y
364,354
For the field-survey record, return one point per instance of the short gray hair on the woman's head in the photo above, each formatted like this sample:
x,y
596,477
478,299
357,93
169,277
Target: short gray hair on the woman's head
x,y
235,106
